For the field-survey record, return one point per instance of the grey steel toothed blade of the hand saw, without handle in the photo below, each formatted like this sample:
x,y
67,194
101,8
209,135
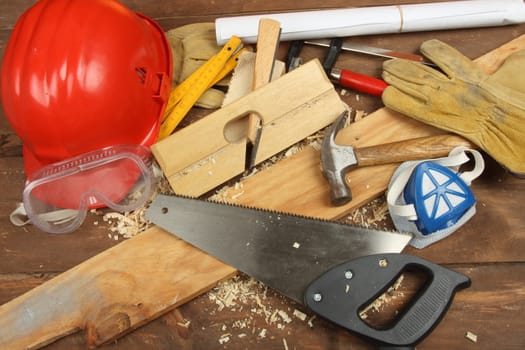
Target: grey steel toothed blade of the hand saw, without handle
x,y
284,251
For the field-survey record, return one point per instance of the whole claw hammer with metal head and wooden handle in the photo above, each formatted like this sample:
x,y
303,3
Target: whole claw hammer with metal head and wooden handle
x,y
336,159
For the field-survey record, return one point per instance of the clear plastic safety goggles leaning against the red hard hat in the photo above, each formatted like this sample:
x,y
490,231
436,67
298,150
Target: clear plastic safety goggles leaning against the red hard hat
x,y
58,196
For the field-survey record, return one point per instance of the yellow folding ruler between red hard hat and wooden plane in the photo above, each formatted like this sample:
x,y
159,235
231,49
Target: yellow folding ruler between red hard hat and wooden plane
x,y
186,94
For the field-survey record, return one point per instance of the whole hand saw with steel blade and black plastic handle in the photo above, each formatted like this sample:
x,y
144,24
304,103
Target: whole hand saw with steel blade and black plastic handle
x,y
334,269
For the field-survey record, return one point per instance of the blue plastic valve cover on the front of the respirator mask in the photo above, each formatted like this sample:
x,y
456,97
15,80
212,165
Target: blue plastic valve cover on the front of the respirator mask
x,y
439,196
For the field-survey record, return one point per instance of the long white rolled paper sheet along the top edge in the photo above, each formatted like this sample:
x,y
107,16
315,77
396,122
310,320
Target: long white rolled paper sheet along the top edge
x,y
377,20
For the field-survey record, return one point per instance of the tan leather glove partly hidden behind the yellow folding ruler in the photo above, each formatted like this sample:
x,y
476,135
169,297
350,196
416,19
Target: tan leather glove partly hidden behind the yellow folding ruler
x,y
192,45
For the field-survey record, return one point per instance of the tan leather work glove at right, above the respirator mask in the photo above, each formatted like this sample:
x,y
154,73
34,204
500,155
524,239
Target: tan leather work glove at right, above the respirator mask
x,y
488,110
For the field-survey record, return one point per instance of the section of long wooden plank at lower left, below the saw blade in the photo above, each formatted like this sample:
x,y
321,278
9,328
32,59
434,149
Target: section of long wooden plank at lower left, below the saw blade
x,y
102,294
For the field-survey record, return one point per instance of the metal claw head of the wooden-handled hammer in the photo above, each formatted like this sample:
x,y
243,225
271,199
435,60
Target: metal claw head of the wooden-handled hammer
x,y
336,161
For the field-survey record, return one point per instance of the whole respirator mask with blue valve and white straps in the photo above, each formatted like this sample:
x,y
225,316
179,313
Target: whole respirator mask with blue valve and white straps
x,y
431,199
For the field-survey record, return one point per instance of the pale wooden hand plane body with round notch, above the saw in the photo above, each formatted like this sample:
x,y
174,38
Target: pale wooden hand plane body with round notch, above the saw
x,y
291,108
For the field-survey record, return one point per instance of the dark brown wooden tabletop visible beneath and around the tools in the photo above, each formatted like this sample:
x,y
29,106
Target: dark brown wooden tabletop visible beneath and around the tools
x,y
242,314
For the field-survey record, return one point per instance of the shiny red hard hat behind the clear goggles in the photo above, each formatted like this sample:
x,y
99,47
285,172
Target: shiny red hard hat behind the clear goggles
x,y
80,75
